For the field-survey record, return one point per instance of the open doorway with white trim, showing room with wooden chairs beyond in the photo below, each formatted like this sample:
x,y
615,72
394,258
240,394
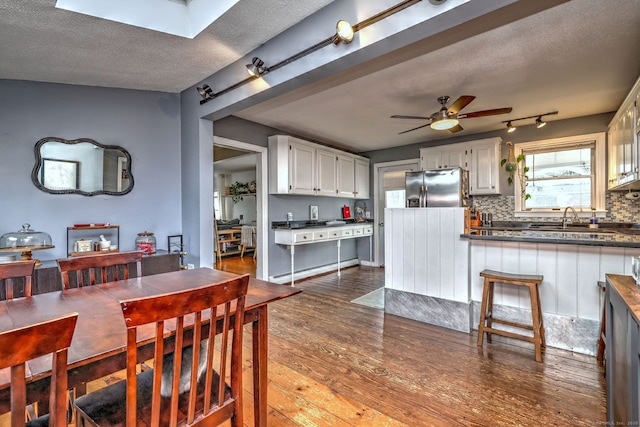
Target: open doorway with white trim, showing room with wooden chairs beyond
x,y
239,201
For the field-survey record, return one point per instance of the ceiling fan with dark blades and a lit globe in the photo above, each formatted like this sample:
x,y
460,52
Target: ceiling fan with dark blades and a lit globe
x,y
447,118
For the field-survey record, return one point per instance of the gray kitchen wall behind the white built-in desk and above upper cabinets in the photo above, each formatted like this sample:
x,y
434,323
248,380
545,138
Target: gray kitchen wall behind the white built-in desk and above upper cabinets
x,y
310,256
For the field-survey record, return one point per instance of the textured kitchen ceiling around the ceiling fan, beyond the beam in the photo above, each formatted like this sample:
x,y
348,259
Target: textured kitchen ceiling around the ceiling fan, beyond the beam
x,y
580,58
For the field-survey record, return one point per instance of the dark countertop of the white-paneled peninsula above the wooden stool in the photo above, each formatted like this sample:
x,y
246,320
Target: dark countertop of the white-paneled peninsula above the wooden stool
x,y
607,234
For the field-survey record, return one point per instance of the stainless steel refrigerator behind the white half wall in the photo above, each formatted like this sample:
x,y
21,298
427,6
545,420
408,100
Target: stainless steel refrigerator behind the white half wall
x,y
437,188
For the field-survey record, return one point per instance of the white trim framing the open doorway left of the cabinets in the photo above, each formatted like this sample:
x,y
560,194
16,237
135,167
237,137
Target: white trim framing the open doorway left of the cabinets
x,y
262,199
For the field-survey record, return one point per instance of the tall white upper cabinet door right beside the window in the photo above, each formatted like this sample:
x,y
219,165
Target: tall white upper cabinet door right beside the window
x,y
484,169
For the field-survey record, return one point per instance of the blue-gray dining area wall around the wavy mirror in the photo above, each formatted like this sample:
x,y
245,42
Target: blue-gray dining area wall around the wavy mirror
x,y
147,124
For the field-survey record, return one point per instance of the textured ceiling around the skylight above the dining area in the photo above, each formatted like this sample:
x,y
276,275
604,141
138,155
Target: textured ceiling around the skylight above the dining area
x,y
41,43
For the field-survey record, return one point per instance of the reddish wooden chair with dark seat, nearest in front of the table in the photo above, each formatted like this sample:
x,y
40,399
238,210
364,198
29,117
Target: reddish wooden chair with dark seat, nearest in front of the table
x,y
201,394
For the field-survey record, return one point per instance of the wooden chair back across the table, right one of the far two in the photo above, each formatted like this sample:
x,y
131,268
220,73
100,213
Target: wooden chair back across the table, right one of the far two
x,y
111,267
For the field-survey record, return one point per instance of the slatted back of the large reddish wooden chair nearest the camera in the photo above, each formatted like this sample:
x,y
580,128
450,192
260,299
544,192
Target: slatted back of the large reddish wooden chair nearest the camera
x,y
186,308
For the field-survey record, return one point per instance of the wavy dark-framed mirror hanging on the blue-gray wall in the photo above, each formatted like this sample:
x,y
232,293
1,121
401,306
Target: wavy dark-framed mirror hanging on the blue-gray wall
x,y
81,166
